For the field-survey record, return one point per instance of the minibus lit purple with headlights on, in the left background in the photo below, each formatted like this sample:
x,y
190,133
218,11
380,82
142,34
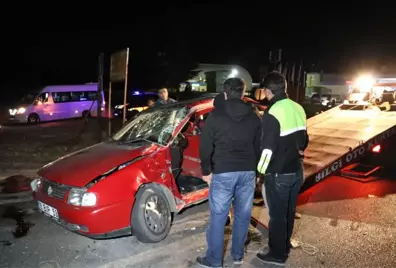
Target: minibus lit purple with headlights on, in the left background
x,y
56,103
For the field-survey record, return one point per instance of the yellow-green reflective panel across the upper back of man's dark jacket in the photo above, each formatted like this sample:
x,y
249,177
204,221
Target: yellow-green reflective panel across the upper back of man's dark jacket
x,y
290,115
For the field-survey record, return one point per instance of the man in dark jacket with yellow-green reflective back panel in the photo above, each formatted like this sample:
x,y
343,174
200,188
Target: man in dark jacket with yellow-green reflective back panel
x,y
284,139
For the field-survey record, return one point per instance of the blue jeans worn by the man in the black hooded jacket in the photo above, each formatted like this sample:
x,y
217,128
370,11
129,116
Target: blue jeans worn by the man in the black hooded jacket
x,y
224,189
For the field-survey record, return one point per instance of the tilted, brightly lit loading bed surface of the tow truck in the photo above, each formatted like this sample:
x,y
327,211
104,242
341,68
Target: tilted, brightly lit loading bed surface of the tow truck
x,y
338,138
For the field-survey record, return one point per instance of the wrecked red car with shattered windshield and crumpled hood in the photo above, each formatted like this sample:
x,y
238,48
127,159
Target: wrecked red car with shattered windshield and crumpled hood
x,y
133,183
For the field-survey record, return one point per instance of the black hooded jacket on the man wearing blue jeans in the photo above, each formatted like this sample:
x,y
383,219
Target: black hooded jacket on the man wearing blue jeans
x,y
230,139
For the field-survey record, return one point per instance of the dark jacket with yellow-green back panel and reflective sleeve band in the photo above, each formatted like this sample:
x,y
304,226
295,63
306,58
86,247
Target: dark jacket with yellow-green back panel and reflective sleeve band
x,y
284,134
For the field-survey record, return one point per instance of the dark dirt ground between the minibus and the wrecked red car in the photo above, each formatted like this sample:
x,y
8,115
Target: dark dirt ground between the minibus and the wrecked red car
x,y
30,147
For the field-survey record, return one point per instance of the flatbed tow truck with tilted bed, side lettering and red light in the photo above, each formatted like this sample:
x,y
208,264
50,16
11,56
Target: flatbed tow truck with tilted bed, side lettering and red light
x,y
341,140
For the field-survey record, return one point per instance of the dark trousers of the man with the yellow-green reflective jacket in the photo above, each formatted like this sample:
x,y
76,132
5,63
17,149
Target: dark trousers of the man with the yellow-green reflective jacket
x,y
282,191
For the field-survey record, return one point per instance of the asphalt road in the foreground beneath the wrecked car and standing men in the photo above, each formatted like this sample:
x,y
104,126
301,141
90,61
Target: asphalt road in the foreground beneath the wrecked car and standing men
x,y
345,223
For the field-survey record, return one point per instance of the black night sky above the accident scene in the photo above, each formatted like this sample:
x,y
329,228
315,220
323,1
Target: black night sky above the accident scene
x,y
61,46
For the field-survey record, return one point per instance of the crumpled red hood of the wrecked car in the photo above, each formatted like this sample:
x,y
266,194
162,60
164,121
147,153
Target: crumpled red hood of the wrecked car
x,y
81,167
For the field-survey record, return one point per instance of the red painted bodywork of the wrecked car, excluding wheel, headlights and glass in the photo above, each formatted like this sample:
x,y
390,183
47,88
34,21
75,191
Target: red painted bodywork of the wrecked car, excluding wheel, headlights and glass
x,y
115,192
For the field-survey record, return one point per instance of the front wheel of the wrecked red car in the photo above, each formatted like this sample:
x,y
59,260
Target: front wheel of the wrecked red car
x,y
151,216
